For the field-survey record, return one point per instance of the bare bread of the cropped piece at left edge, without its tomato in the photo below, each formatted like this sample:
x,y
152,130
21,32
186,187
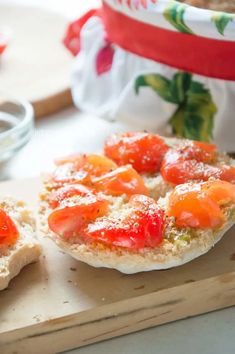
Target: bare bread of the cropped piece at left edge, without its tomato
x,y
26,249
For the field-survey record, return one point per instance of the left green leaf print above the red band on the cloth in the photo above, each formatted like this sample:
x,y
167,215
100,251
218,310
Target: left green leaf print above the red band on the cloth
x,y
174,13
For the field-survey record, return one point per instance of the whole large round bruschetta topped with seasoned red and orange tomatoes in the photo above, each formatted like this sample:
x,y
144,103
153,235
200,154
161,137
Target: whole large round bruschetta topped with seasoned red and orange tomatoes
x,y
148,203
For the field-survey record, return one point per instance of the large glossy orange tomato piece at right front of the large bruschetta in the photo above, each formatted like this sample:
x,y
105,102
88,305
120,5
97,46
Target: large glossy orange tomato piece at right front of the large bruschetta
x,y
194,209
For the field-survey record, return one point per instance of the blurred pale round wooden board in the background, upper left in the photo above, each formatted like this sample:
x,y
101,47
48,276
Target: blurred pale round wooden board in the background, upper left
x,y
36,66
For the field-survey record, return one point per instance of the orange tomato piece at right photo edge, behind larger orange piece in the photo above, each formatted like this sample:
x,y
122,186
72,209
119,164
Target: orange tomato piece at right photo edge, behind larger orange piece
x,y
221,192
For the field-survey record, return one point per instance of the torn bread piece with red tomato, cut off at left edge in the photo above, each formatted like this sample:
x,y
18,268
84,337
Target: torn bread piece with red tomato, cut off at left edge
x,y
18,243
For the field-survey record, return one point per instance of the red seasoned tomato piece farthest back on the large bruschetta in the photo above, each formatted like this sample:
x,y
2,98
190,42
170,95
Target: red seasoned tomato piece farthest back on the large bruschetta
x,y
144,151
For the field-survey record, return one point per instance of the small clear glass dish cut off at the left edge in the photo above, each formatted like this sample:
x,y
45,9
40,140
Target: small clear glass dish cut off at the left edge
x,y
16,126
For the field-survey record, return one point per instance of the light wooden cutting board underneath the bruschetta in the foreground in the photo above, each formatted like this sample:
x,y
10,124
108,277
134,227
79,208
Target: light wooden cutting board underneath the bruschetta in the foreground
x,y
60,303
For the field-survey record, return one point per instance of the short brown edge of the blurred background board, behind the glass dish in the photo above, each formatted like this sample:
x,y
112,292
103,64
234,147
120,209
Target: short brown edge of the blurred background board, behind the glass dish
x,y
53,103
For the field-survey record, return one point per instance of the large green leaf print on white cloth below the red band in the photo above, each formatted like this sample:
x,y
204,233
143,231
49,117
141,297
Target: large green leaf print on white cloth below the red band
x,y
194,116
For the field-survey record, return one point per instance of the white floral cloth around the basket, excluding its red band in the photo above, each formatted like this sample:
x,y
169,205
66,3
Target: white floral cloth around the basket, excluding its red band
x,y
119,85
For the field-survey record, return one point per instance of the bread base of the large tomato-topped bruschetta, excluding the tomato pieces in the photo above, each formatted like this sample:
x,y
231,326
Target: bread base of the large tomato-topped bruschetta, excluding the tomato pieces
x,y
178,247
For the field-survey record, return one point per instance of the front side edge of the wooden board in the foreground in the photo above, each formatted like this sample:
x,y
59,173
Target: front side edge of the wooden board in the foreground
x,y
123,317
